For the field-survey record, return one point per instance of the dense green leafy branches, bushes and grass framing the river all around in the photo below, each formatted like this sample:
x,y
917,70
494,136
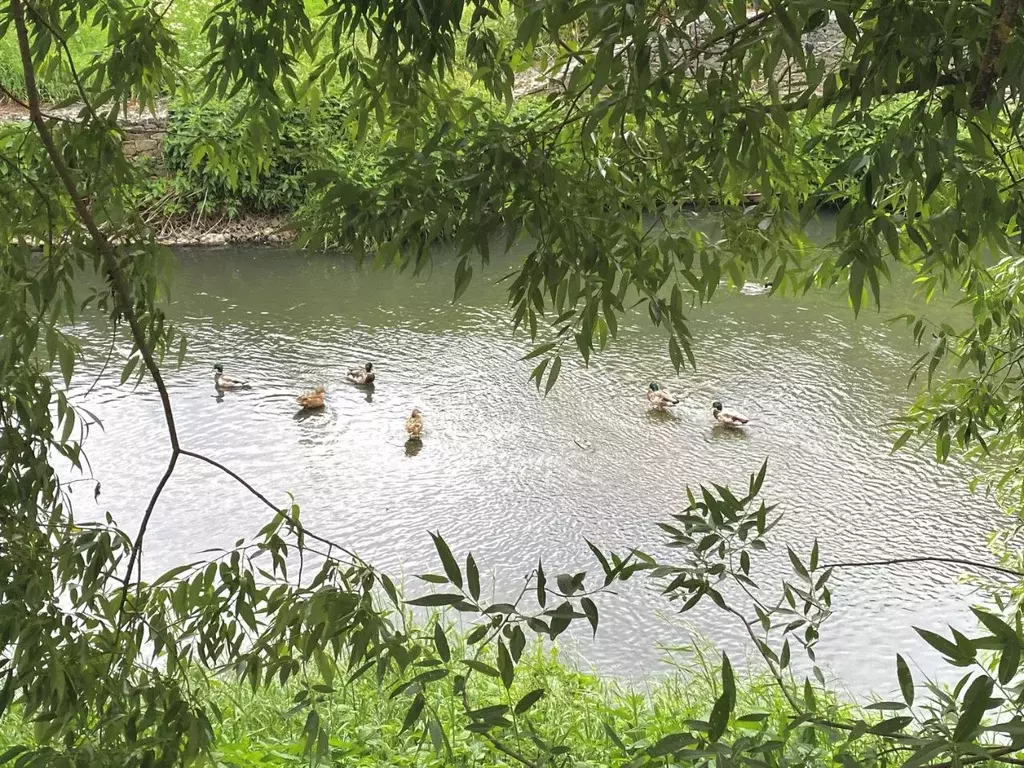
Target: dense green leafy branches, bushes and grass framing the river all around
x,y
386,126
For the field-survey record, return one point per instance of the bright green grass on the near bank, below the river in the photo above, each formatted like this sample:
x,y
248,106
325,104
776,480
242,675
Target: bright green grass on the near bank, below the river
x,y
365,723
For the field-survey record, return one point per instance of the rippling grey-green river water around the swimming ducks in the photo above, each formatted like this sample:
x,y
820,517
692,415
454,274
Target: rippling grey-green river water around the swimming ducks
x,y
516,477
